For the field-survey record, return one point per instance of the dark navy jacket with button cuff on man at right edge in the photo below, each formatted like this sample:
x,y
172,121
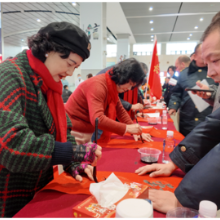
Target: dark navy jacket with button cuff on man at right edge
x,y
198,155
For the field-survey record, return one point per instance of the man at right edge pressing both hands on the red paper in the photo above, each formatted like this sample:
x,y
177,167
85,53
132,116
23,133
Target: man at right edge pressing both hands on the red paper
x,y
198,154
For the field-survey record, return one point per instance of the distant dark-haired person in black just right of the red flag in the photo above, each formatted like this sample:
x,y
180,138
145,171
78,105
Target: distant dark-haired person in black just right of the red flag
x,y
168,87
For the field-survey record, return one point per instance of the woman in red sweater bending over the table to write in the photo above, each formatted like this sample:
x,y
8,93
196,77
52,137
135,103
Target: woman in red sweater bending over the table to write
x,y
98,98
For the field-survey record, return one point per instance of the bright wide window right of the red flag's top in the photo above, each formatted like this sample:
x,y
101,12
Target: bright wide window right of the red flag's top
x,y
180,48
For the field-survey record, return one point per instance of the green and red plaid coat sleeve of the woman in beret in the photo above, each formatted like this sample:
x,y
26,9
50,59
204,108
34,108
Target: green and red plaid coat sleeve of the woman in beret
x,y
21,151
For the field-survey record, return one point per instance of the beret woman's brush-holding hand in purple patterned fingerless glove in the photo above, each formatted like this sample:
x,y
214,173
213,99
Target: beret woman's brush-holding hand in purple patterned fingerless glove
x,y
89,152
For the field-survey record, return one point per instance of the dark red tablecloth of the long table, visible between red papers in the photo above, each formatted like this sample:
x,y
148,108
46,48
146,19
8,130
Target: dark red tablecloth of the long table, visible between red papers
x,y
57,205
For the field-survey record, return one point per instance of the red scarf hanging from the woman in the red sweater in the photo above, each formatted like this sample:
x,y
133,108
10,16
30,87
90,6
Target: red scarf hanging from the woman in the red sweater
x,y
112,100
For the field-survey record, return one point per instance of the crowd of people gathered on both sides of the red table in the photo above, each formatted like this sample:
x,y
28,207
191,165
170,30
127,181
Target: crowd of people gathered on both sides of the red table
x,y
39,131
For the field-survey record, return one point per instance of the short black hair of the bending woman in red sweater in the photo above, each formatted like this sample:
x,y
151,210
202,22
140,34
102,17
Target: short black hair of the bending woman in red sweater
x,y
126,71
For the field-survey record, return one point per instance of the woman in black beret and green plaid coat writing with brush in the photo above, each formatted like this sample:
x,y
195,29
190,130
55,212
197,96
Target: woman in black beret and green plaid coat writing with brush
x,y
34,129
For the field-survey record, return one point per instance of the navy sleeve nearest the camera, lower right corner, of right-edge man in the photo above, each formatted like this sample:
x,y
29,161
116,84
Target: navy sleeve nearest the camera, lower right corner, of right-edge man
x,y
201,182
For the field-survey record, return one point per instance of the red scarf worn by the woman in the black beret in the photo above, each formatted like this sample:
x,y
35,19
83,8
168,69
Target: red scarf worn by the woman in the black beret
x,y
53,91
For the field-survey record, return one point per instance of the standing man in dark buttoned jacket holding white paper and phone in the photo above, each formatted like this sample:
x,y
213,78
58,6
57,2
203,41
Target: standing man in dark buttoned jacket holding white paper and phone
x,y
190,117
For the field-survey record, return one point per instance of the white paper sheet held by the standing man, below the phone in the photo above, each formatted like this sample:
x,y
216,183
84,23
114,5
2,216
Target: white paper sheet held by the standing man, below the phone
x,y
198,101
